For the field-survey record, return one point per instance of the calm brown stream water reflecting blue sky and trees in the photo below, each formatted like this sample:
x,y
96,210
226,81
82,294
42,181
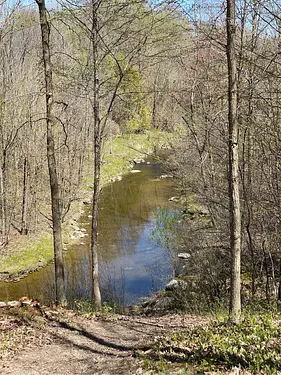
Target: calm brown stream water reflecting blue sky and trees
x,y
132,265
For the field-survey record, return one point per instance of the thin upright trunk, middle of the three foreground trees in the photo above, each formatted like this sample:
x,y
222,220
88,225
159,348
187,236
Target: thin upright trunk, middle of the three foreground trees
x,y
97,155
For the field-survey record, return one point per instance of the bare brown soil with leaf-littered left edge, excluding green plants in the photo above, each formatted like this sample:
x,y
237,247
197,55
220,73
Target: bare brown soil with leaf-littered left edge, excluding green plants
x,y
46,341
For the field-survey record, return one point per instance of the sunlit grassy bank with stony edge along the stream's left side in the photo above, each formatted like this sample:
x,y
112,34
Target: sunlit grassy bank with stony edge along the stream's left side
x,y
26,254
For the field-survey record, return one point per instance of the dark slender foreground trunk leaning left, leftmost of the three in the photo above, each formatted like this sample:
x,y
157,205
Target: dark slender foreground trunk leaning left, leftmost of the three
x,y
54,185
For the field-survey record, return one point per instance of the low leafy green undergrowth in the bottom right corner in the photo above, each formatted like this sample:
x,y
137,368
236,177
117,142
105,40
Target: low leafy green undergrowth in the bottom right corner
x,y
253,346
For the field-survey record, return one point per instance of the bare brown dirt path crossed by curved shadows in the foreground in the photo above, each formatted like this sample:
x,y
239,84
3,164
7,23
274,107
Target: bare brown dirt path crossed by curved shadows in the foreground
x,y
77,345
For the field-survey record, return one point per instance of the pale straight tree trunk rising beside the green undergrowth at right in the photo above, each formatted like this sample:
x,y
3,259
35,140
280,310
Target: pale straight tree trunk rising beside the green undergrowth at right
x,y
234,204
